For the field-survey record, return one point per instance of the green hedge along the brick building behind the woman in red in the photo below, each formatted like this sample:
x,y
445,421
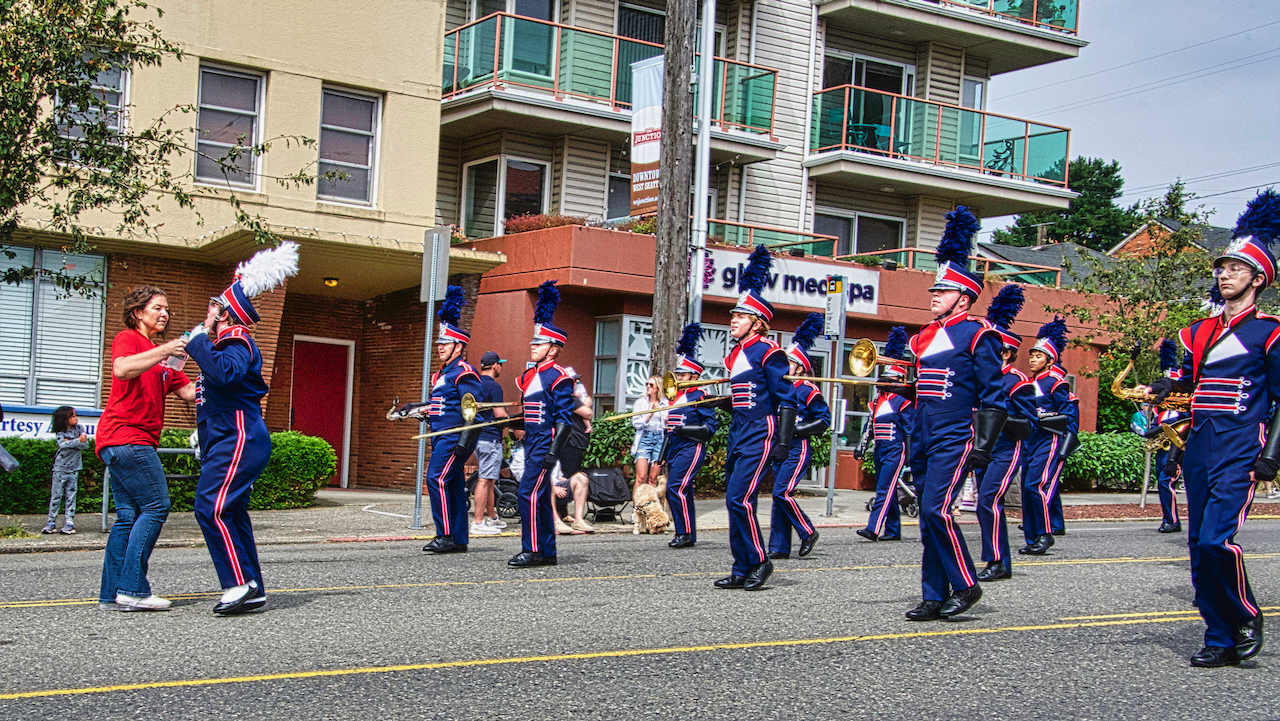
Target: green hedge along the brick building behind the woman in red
x,y
300,466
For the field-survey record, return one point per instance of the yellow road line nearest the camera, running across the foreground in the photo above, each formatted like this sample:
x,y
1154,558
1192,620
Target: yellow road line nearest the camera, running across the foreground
x,y
621,654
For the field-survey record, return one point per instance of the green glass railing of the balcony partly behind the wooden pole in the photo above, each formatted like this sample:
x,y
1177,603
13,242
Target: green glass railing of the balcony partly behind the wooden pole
x,y
505,51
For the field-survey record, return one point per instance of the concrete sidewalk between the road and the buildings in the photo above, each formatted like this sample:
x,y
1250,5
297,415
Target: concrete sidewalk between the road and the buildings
x,y
351,515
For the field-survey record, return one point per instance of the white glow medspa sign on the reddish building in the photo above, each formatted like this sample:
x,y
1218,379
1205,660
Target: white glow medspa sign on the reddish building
x,y
793,282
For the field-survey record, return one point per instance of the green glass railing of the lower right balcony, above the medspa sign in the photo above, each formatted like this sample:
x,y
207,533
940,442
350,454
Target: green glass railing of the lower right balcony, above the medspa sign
x,y
898,126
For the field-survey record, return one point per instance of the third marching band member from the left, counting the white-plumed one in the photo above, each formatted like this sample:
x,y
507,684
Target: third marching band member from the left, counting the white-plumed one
x,y
548,398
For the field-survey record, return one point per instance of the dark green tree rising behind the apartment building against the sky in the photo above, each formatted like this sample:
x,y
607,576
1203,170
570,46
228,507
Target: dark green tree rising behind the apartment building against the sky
x,y
1094,220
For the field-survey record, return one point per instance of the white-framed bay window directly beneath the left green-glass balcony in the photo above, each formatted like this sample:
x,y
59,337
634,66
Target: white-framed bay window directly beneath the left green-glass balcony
x,y
524,190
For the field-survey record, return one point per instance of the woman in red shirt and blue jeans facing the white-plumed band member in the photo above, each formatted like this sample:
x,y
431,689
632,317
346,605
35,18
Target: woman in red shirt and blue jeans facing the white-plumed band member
x,y
129,435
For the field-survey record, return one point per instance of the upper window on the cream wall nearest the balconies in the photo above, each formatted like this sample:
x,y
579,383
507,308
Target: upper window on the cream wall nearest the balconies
x,y
349,138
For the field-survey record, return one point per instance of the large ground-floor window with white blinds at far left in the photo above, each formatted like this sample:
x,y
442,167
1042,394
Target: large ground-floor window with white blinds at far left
x,y
52,344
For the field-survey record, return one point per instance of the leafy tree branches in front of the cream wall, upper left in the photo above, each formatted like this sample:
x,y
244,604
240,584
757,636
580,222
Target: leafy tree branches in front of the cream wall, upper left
x,y
65,154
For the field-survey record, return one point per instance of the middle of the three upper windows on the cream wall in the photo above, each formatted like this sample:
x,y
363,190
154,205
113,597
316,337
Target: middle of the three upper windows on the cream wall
x,y
230,108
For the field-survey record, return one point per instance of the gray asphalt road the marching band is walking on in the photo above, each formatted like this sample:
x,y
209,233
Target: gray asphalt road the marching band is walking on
x,y
627,628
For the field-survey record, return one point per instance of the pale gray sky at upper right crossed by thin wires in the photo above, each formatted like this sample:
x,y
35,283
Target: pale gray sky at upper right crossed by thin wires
x,y
1223,118
